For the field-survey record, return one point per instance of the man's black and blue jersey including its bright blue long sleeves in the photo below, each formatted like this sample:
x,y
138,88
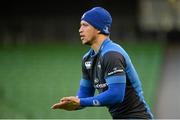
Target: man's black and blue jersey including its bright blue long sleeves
x,y
111,72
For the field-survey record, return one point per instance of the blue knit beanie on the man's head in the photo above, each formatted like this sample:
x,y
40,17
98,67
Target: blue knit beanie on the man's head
x,y
99,18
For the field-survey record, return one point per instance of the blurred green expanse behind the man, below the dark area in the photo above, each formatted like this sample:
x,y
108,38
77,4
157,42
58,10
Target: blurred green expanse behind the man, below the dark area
x,y
33,77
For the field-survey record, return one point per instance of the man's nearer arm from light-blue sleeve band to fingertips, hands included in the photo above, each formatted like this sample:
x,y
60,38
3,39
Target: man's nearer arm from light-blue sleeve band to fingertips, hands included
x,y
114,94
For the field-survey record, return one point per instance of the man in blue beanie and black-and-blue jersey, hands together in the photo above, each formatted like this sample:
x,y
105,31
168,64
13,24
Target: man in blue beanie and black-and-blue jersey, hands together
x,y
106,67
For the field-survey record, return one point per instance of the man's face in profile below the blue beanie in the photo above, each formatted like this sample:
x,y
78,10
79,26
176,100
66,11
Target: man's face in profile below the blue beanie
x,y
88,33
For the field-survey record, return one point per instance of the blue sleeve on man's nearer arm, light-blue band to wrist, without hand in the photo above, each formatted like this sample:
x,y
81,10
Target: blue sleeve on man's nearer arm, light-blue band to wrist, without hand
x,y
114,94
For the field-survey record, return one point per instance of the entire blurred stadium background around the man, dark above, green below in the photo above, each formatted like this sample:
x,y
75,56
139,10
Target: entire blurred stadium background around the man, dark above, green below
x,y
40,54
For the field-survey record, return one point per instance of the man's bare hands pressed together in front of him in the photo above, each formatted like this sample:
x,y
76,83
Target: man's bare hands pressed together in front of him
x,y
68,103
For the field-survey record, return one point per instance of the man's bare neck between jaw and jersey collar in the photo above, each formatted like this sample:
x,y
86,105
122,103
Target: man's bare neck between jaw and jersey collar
x,y
96,46
